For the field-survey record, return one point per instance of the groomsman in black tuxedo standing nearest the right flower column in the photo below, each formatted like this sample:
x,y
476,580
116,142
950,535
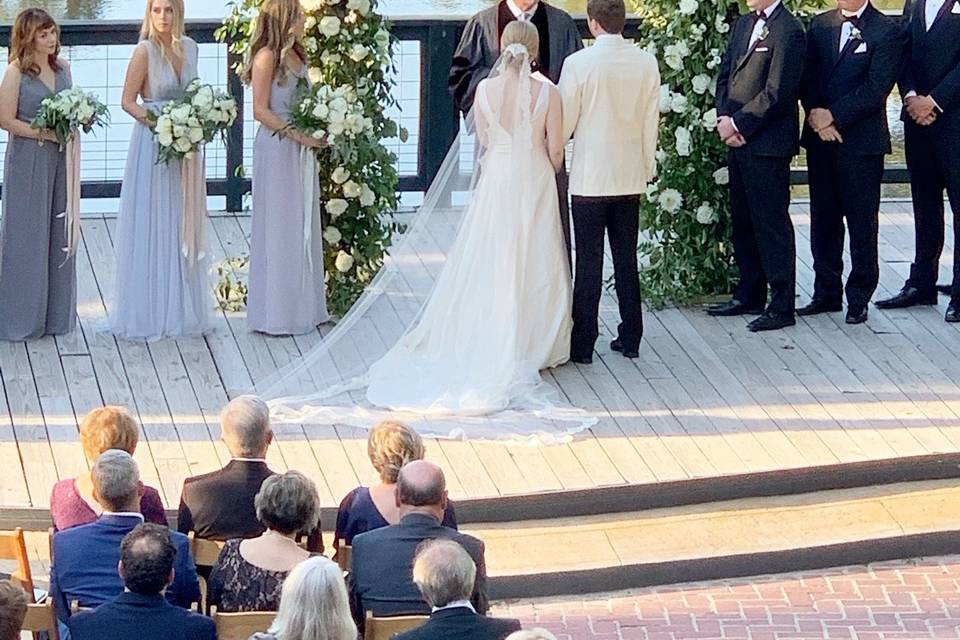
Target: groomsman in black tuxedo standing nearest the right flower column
x,y
757,92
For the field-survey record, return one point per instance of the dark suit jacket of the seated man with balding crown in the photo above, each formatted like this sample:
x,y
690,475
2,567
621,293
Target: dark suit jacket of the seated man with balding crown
x,y
381,567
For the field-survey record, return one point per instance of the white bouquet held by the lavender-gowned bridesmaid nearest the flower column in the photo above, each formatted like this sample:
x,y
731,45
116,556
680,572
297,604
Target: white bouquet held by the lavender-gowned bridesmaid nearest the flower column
x,y
334,114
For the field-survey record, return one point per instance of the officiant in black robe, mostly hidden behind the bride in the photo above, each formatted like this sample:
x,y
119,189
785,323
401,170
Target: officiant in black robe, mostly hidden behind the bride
x,y
479,49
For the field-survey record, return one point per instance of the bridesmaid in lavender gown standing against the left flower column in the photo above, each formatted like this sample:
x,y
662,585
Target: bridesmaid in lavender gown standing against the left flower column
x,y
286,294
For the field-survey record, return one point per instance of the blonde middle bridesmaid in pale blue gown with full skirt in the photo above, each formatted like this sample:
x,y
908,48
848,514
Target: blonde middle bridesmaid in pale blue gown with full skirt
x,y
160,291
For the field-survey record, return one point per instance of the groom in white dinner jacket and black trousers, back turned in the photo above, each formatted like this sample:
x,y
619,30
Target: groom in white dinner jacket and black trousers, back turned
x,y
611,95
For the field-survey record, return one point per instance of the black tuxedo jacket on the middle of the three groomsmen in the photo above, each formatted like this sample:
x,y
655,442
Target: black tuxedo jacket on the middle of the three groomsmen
x,y
853,86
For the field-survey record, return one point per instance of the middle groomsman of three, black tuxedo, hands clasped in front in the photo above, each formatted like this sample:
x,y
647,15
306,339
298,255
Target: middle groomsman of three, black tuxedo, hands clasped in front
x,y
853,57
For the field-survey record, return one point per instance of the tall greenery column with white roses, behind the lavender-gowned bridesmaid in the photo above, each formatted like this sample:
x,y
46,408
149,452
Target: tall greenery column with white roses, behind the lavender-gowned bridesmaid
x,y
348,44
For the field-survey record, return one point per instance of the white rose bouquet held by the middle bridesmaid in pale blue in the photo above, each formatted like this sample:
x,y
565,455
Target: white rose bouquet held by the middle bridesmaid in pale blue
x,y
186,124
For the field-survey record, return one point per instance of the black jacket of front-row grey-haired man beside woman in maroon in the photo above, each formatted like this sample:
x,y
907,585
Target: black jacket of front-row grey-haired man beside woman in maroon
x,y
219,505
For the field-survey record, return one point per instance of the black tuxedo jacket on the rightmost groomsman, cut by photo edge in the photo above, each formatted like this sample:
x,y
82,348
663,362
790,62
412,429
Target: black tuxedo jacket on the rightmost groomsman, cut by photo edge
x,y
932,61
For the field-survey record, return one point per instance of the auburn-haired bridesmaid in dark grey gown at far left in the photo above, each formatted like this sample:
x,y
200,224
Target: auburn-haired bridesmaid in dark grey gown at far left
x,y
38,283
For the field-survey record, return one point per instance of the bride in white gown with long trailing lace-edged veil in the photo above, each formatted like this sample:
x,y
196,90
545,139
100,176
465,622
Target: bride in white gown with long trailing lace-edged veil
x,y
467,360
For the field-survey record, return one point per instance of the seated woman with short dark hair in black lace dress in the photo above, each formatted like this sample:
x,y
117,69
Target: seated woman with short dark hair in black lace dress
x,y
249,573
